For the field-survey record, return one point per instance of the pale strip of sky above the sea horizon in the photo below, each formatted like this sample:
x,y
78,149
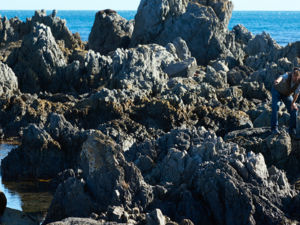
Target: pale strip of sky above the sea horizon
x,y
277,5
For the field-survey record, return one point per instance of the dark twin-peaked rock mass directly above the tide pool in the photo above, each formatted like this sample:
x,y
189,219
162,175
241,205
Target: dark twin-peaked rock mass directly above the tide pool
x,y
44,153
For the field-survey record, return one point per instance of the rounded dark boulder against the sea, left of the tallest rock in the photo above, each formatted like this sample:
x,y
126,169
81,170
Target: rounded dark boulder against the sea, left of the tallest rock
x,y
109,32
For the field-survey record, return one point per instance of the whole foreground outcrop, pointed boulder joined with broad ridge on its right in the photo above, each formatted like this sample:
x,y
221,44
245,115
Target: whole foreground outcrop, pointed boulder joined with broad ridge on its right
x,y
178,168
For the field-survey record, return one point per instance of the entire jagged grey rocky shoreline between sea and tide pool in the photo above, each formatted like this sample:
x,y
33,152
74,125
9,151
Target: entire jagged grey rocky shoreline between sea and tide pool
x,y
160,120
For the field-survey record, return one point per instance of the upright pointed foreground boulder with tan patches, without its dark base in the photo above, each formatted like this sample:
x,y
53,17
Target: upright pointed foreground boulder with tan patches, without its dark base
x,y
111,179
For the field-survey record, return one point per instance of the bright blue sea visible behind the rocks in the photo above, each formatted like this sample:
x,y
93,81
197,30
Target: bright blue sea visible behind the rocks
x,y
283,26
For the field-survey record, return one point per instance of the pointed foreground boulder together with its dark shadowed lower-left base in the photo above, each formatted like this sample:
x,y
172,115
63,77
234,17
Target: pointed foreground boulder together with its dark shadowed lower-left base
x,y
108,179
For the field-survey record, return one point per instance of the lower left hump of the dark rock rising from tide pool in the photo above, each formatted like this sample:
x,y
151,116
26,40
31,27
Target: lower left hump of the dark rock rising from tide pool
x,y
39,156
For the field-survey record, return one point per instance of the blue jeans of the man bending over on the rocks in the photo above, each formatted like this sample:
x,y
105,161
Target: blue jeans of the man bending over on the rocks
x,y
287,100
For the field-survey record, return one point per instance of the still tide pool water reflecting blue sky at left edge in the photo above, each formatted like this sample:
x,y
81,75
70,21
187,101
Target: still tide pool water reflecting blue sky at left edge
x,y
30,197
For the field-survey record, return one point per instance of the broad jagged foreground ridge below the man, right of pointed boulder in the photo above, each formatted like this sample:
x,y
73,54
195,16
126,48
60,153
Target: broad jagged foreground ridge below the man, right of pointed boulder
x,y
234,172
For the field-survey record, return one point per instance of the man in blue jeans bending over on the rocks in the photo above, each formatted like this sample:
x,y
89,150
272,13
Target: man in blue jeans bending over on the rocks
x,y
283,89
